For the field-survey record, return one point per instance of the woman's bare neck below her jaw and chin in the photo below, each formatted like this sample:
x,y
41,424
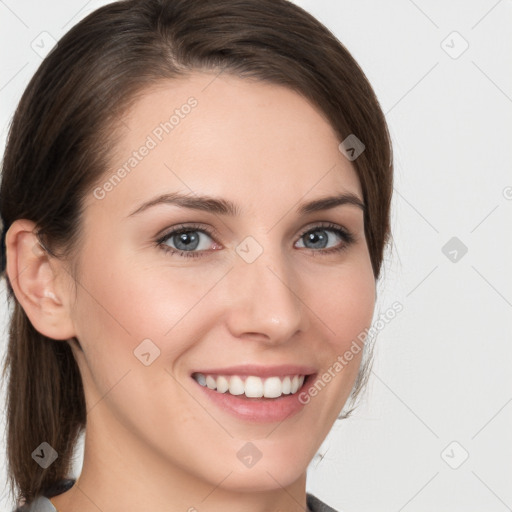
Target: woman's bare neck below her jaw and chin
x,y
117,478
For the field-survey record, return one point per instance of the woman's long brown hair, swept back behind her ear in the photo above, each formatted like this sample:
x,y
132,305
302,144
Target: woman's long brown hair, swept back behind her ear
x,y
62,133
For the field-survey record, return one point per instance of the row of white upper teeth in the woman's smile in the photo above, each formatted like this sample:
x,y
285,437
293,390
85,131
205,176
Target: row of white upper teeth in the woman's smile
x,y
252,386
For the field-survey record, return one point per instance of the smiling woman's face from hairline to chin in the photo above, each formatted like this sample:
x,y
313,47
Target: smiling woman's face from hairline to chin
x,y
269,284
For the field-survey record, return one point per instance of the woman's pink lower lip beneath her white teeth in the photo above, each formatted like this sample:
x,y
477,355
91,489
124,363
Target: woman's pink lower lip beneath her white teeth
x,y
261,410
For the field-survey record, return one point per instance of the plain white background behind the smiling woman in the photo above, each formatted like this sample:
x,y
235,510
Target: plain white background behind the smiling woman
x,y
442,371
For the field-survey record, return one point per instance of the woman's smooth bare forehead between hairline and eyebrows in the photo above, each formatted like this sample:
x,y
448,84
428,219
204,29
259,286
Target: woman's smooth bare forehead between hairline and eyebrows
x,y
261,144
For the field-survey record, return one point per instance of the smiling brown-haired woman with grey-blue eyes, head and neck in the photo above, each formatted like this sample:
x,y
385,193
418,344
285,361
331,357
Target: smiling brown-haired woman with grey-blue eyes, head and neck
x,y
195,199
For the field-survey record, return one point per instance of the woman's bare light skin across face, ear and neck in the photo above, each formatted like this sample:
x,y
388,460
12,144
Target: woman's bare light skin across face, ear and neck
x,y
153,440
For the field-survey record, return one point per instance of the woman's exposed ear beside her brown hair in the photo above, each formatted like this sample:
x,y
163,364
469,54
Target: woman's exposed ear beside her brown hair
x,y
35,281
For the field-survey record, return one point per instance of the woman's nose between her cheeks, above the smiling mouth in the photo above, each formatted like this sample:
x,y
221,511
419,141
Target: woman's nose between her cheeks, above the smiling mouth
x,y
265,301
